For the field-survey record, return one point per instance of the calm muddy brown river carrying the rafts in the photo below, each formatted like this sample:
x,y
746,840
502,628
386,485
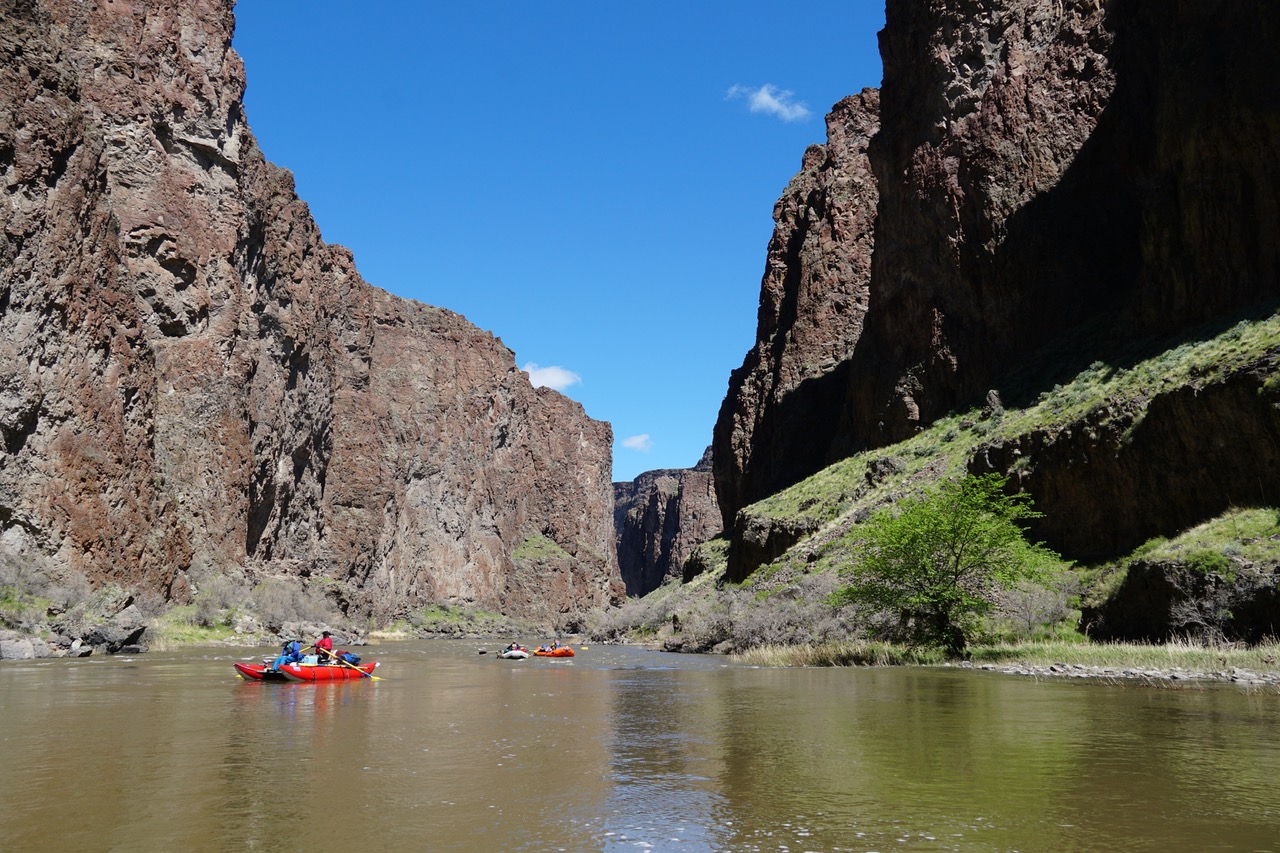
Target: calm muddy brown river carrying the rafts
x,y
623,749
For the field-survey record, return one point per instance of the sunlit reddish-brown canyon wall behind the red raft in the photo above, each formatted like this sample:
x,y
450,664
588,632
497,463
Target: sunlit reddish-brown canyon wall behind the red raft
x,y
194,384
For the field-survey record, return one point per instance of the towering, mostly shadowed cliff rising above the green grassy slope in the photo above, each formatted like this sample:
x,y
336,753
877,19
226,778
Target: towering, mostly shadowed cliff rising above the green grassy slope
x,y
1055,184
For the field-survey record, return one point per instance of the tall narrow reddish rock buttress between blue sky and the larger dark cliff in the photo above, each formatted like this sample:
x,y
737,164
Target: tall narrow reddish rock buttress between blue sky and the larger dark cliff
x,y
780,418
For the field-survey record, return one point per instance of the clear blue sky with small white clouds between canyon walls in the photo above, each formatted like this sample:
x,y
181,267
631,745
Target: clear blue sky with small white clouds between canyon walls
x,y
591,181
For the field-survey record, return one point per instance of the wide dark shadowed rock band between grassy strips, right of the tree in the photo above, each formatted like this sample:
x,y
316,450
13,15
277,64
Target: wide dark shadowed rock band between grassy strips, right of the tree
x,y
1133,471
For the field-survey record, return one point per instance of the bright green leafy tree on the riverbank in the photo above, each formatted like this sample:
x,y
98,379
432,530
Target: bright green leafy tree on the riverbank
x,y
940,562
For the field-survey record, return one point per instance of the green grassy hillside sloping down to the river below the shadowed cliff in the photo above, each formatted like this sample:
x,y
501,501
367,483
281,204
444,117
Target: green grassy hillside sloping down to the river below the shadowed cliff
x,y
784,600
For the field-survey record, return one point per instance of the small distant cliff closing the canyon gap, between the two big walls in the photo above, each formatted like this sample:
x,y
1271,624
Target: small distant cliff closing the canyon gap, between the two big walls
x,y
660,518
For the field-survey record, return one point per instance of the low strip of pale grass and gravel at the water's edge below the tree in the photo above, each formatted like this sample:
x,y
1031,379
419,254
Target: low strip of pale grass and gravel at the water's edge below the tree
x,y
1176,663
